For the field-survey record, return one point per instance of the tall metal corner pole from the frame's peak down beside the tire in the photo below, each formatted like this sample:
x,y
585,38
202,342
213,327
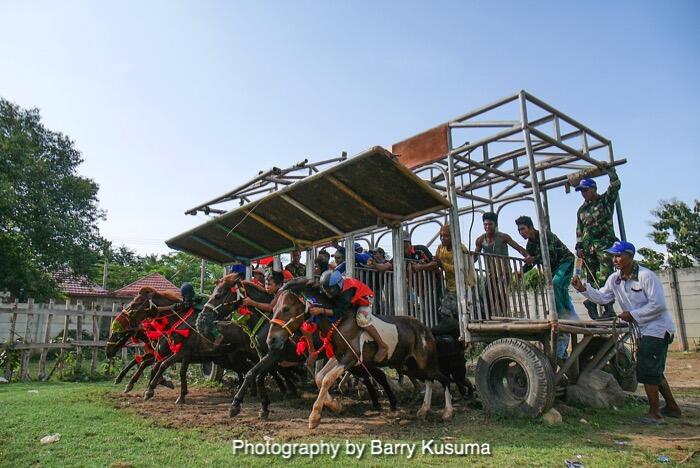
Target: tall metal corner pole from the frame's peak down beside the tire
x,y
541,221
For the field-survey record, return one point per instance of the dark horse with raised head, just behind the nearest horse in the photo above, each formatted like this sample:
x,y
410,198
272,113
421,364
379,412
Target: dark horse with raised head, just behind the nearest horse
x,y
228,296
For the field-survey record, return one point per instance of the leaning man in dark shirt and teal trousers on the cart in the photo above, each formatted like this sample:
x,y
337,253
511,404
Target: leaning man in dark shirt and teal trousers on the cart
x,y
562,264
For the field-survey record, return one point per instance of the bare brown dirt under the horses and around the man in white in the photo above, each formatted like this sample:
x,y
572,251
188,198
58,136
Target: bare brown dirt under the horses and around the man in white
x,y
208,408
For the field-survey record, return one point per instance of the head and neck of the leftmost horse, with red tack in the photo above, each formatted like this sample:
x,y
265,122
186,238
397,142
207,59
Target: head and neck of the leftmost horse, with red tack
x,y
128,323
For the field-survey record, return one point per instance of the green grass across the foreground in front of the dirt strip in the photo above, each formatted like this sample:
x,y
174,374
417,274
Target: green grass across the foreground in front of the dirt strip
x,y
94,433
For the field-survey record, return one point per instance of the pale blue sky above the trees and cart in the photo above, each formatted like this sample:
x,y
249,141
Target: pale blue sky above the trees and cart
x,y
172,103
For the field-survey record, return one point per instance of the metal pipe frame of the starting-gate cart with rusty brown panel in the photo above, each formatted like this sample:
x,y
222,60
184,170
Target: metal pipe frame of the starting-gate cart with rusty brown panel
x,y
518,148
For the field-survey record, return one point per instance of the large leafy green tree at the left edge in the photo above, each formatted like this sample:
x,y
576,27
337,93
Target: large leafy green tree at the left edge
x,y
48,213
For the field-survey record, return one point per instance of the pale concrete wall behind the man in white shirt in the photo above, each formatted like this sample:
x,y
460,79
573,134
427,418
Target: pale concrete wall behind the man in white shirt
x,y
685,310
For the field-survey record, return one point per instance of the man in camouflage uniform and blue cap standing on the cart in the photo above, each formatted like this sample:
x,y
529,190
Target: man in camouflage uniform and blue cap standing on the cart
x,y
595,233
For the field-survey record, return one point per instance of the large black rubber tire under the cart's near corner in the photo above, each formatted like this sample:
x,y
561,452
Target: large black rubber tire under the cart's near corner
x,y
514,379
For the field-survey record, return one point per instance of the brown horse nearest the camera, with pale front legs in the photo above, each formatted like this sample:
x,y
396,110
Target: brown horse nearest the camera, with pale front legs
x,y
415,354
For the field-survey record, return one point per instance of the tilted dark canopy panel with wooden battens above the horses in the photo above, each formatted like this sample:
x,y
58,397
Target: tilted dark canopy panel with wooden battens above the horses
x,y
369,190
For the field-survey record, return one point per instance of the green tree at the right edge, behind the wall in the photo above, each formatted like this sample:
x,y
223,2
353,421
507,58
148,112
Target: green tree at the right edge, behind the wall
x,y
678,228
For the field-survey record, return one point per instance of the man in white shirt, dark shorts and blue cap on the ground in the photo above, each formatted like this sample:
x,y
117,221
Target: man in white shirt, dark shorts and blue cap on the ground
x,y
639,293
